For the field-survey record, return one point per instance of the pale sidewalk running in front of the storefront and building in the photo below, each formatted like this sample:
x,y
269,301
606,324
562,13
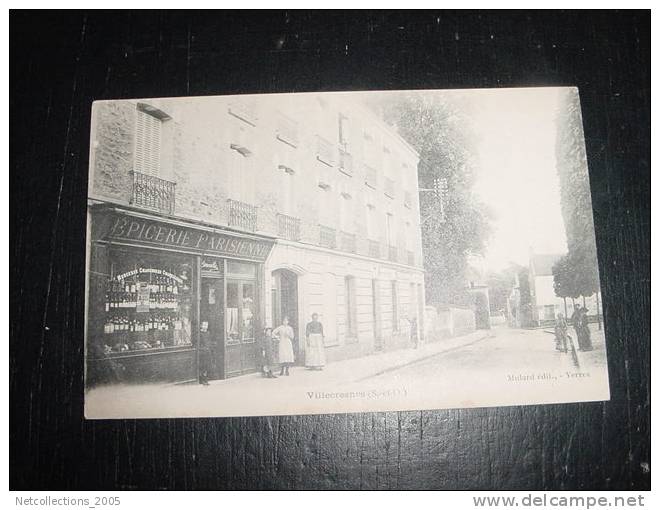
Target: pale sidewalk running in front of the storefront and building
x,y
254,394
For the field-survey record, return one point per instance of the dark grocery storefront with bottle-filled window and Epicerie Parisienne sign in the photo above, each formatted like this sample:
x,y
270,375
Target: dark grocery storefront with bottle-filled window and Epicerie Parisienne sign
x,y
171,301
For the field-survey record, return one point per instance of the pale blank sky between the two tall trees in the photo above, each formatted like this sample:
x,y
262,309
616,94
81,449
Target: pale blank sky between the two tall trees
x,y
517,177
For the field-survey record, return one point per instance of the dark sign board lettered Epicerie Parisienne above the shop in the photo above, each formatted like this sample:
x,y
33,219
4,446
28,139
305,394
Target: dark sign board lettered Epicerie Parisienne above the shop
x,y
158,233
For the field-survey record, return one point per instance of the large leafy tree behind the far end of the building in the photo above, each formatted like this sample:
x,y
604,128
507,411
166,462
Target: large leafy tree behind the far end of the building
x,y
454,224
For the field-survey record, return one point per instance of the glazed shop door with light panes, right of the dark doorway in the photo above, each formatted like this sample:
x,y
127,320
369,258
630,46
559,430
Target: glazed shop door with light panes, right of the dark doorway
x,y
240,327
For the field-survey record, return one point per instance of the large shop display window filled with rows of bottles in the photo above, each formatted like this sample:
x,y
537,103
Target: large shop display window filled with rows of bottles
x,y
148,303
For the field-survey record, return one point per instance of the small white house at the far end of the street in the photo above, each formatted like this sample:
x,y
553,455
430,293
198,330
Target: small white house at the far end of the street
x,y
541,284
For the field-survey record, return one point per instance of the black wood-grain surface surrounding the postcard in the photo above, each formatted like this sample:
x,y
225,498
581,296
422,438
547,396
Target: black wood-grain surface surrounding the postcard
x,y
60,62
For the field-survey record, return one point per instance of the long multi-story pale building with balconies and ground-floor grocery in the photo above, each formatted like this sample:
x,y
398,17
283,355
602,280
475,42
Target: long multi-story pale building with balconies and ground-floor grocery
x,y
211,218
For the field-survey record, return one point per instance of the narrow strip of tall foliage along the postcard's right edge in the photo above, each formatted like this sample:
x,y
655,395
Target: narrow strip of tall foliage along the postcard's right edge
x,y
578,272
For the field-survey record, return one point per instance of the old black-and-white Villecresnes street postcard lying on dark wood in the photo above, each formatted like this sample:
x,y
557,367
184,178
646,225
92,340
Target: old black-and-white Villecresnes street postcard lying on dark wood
x,y
340,252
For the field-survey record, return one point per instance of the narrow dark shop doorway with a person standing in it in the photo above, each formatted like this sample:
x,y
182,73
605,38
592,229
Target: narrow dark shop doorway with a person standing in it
x,y
211,311
